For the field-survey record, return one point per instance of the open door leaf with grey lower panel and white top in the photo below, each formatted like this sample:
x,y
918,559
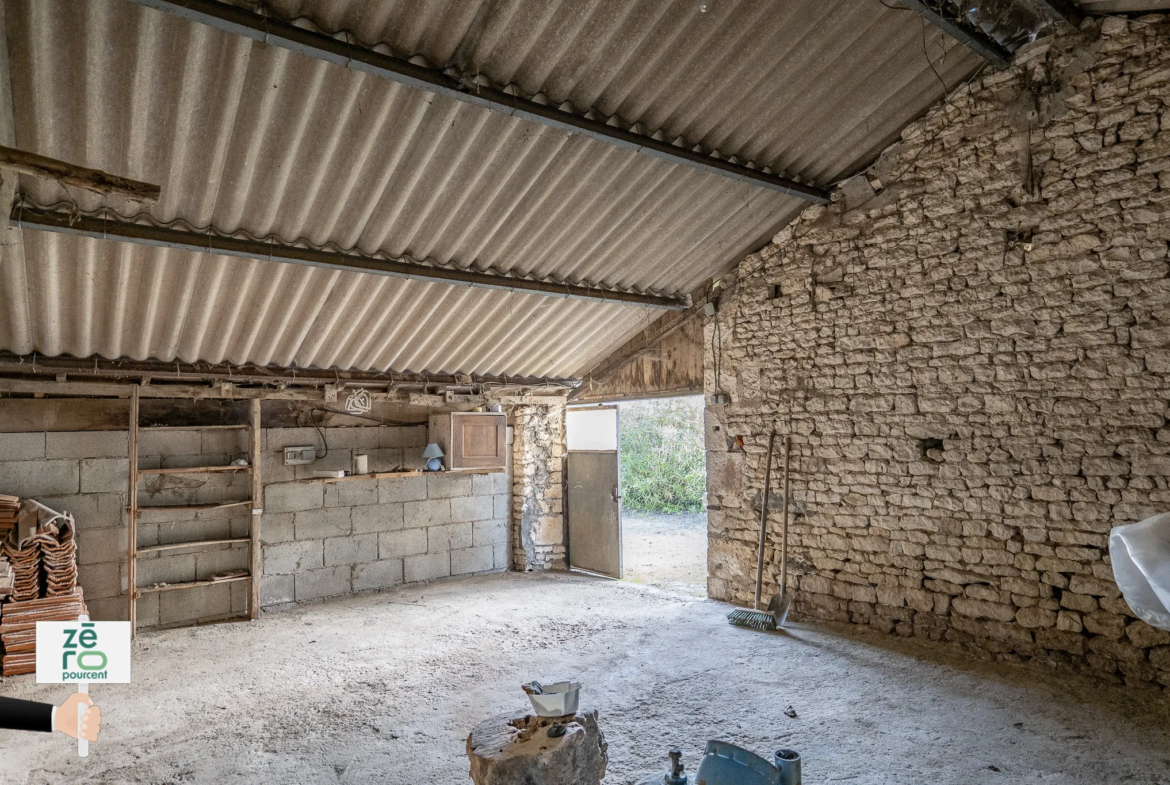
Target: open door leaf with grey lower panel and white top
x,y
595,491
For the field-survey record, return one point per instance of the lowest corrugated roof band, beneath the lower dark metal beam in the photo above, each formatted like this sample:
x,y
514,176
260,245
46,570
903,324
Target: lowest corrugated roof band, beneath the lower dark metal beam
x,y
120,300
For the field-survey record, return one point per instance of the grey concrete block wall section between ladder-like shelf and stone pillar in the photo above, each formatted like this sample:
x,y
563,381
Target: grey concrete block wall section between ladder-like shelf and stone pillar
x,y
324,540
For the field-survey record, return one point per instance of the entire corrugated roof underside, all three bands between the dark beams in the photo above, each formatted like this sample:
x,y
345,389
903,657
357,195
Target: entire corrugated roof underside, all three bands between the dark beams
x,y
250,139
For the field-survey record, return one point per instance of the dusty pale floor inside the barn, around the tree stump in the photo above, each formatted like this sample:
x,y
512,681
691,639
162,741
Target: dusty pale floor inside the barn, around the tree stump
x,y
384,690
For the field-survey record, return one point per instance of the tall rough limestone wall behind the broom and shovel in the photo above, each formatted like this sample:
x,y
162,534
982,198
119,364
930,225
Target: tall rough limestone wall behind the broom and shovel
x,y
972,349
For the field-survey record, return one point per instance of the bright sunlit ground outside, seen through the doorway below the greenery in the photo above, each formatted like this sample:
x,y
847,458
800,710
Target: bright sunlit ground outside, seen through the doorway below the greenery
x,y
667,552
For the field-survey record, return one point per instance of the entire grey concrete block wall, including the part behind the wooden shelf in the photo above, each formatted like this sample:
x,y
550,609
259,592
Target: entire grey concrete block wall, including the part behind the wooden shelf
x,y
320,540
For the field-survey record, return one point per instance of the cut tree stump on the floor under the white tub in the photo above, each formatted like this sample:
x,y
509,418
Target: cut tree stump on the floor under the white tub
x,y
519,750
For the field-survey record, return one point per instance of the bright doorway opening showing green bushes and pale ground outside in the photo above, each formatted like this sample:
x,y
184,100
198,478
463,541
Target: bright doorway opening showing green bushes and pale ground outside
x,y
664,494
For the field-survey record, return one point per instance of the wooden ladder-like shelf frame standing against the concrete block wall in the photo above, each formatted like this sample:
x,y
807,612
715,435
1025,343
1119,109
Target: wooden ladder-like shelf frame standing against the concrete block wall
x,y
256,502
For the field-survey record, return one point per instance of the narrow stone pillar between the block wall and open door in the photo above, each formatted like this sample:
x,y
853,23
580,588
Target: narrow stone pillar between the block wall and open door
x,y
539,453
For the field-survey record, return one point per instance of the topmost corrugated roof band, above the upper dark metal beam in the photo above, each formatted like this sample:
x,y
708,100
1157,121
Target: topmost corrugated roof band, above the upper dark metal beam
x,y
809,88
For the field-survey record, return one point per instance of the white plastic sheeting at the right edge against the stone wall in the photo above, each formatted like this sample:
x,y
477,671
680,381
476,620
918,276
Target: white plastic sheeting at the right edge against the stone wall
x,y
1141,567
